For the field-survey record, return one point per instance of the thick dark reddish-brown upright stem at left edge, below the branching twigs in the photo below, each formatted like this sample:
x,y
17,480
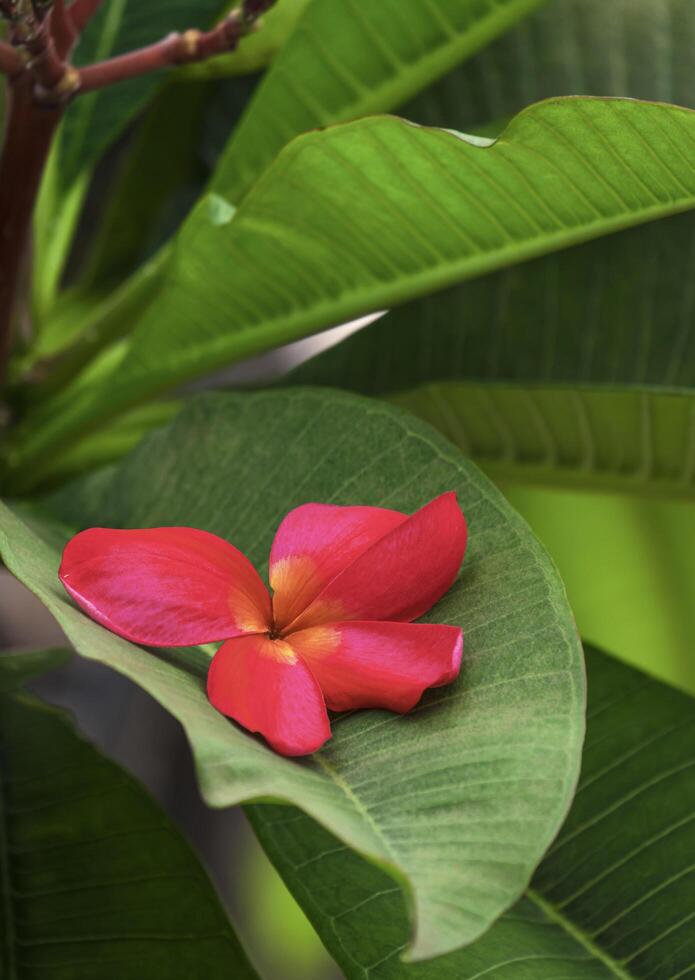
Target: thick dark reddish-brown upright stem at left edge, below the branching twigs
x,y
30,130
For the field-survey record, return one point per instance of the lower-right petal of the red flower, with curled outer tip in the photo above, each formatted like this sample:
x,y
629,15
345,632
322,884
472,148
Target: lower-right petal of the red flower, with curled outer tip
x,y
379,665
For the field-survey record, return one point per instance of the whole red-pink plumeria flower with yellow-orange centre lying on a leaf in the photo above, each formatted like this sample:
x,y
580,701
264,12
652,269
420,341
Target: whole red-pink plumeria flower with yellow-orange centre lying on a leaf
x,y
337,633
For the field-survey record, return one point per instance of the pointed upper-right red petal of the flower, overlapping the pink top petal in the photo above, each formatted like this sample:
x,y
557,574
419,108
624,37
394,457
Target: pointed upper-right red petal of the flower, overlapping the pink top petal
x,y
399,577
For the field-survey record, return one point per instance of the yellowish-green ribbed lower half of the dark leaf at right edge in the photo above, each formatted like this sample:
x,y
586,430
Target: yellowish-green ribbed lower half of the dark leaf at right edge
x,y
611,438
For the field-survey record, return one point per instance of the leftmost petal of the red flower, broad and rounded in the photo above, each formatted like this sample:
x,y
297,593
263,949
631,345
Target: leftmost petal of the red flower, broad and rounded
x,y
165,586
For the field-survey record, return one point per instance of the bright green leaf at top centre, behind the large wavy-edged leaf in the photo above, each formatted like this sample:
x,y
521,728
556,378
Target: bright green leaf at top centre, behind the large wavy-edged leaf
x,y
351,59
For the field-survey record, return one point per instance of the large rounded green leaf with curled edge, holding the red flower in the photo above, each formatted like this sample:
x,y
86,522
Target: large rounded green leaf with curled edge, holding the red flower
x,y
457,800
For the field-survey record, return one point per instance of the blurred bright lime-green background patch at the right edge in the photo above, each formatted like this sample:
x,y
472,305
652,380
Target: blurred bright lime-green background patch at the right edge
x,y
629,572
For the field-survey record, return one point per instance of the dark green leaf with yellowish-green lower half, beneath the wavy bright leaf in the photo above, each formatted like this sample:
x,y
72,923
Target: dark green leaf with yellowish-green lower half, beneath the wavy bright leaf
x,y
576,369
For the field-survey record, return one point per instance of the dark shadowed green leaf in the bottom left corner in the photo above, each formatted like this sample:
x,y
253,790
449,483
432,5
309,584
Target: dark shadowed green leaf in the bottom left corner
x,y
94,879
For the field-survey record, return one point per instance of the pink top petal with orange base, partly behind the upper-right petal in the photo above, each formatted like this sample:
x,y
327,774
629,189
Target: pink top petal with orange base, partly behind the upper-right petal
x,y
313,544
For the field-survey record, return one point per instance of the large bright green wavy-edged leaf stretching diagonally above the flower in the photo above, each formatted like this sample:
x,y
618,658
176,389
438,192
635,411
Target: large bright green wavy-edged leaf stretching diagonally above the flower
x,y
373,213
